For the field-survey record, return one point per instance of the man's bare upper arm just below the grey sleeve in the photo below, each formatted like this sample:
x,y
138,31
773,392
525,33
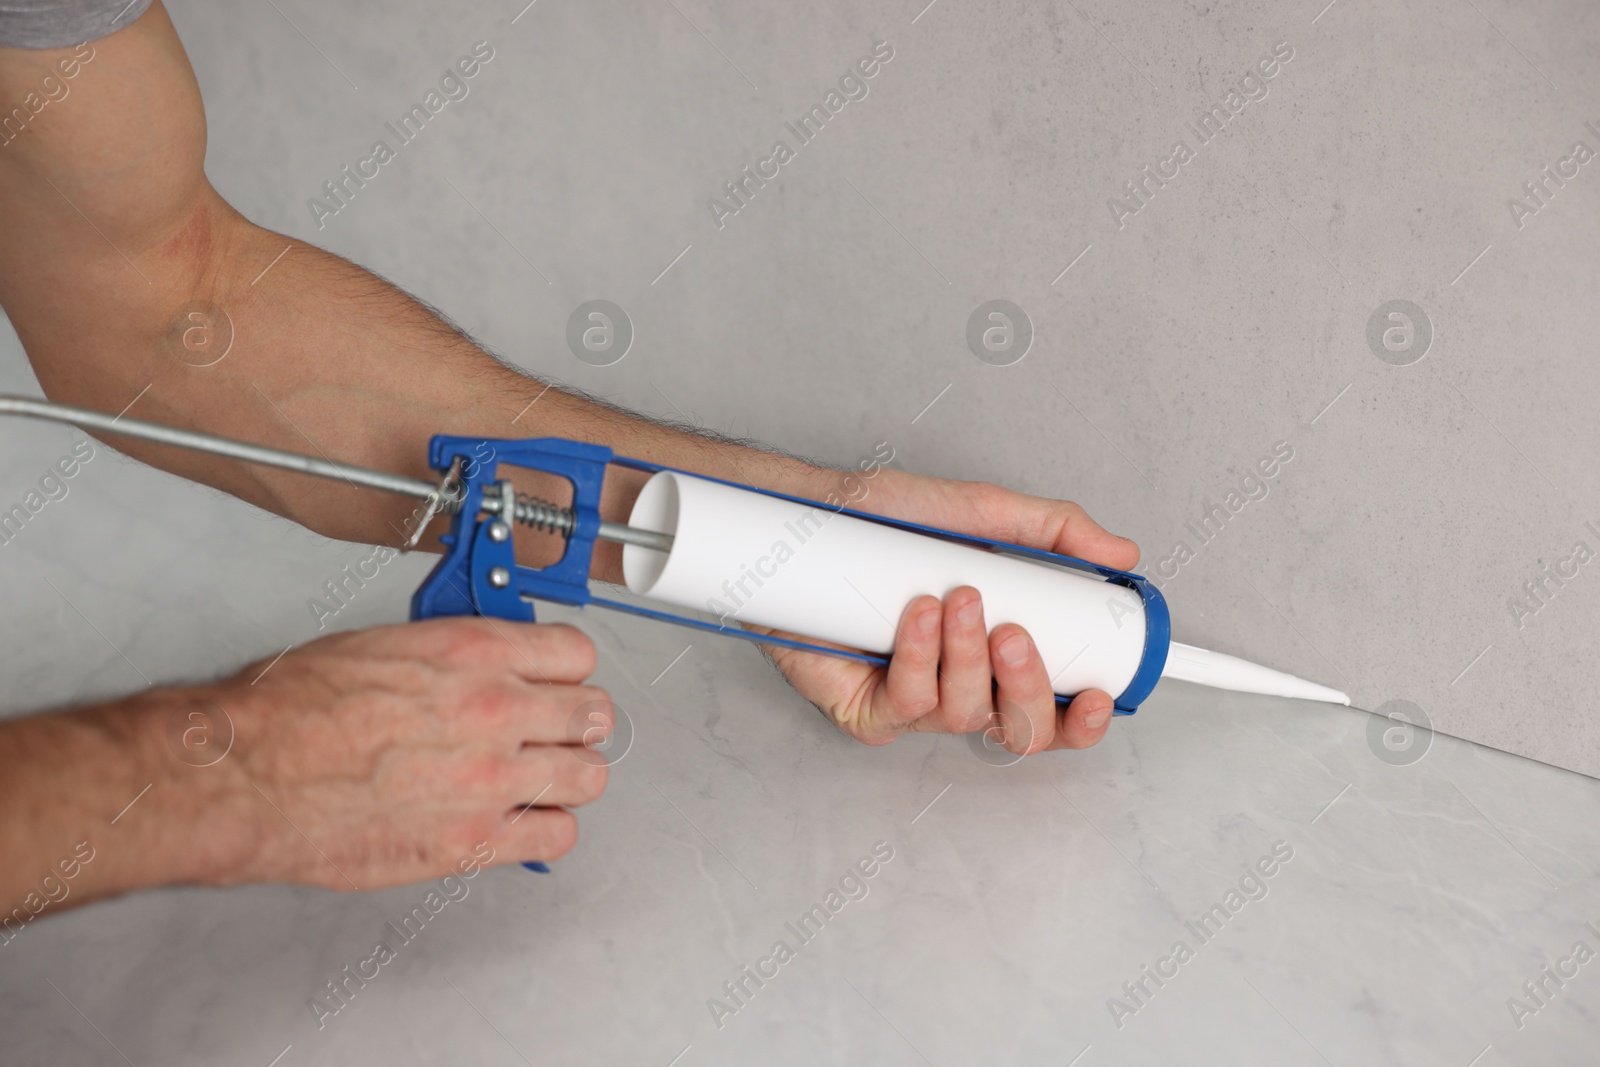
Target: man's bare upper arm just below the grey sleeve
x,y
102,169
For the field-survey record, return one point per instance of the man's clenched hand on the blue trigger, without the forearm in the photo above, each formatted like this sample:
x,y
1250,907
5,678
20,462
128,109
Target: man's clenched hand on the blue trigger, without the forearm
x,y
394,753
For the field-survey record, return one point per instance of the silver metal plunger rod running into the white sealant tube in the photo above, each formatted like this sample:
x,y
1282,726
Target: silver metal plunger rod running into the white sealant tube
x,y
529,511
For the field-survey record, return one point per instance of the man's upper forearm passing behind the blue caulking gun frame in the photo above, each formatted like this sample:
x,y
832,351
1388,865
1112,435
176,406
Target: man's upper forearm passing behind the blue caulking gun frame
x,y
327,359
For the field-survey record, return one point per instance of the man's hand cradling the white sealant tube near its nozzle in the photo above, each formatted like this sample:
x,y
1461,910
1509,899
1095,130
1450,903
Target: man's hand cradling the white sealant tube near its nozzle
x,y
950,674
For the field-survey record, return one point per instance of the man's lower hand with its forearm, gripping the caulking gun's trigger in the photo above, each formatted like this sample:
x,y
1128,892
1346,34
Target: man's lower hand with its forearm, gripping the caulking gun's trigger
x,y
362,761
